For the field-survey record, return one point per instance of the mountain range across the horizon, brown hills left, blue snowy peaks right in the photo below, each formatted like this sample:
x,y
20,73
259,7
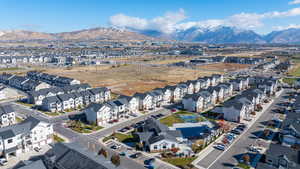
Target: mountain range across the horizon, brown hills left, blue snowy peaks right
x,y
217,35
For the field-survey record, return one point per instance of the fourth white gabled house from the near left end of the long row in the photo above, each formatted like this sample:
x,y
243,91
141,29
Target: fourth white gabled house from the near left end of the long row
x,y
145,101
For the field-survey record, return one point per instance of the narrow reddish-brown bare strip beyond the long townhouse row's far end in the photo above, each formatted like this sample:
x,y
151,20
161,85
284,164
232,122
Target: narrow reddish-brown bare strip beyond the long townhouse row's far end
x,y
223,67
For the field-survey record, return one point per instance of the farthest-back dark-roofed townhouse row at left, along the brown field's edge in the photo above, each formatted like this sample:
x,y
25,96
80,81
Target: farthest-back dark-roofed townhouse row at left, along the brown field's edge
x,y
53,80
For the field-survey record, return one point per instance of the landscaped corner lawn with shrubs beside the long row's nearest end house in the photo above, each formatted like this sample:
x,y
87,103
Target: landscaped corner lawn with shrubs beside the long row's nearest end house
x,y
81,127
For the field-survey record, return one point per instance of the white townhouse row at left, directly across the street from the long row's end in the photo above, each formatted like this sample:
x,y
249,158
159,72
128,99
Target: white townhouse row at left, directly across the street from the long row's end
x,y
74,100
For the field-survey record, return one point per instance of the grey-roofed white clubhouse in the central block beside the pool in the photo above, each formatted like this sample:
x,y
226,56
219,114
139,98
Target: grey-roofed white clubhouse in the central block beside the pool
x,y
156,137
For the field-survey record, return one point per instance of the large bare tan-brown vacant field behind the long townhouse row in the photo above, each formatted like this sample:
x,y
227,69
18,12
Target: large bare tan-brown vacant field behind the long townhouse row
x,y
128,79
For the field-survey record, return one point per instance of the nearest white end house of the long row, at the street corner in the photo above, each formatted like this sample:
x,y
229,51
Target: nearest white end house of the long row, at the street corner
x,y
99,113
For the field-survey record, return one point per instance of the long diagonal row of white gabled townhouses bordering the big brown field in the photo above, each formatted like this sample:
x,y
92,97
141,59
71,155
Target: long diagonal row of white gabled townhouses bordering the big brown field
x,y
113,110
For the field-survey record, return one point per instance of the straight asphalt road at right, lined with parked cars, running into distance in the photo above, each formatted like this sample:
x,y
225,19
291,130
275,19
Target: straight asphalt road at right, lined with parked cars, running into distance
x,y
219,159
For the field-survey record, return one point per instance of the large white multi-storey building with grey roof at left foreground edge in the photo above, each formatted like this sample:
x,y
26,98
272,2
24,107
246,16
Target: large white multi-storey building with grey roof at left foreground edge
x,y
24,136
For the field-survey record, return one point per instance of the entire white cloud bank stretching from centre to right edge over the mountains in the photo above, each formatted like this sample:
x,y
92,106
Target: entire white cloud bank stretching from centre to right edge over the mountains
x,y
173,21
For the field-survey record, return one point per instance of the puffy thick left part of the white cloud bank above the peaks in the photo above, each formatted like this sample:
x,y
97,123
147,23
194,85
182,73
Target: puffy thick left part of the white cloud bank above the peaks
x,y
164,23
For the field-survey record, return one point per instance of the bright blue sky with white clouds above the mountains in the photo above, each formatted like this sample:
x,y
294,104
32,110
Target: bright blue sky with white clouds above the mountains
x,y
262,16
